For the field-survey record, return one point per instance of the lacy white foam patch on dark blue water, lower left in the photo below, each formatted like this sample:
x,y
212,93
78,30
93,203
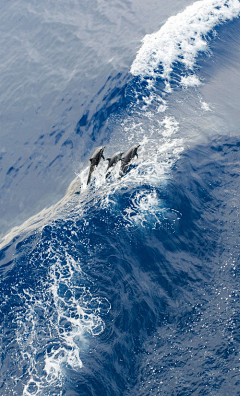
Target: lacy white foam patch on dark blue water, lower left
x,y
63,315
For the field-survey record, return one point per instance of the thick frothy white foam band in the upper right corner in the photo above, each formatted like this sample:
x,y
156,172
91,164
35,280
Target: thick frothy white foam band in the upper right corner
x,y
181,38
